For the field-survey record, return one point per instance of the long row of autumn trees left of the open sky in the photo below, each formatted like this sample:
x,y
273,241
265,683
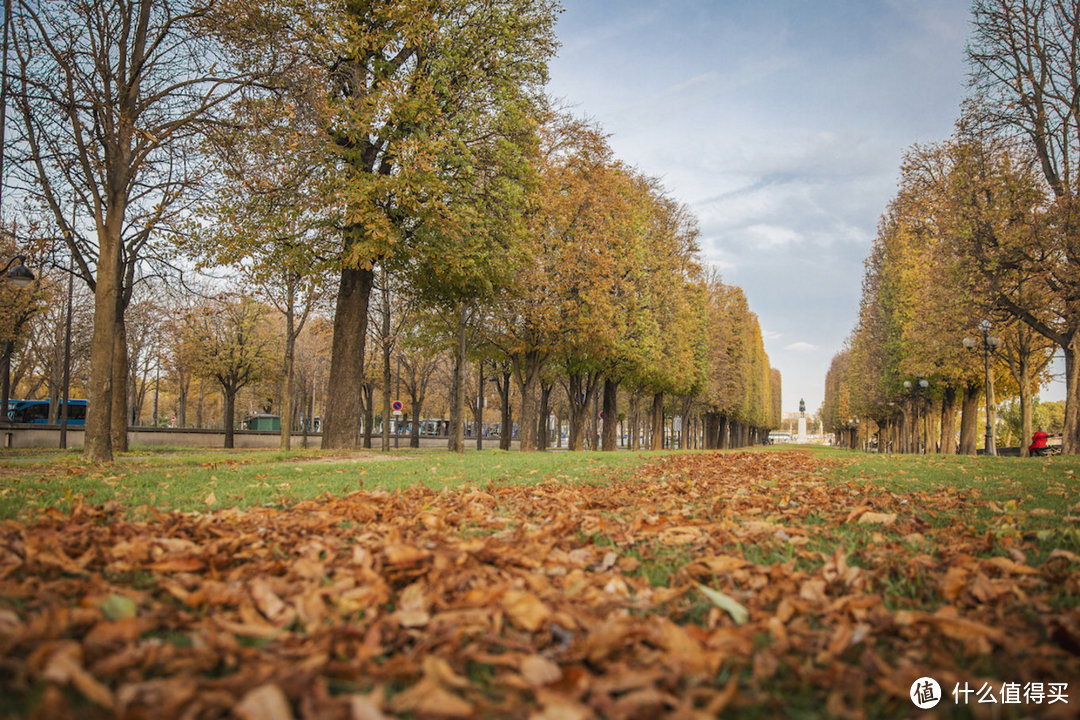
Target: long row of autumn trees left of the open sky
x,y
394,169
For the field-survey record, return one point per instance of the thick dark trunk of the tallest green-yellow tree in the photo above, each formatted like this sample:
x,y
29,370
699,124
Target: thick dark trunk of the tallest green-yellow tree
x,y
347,360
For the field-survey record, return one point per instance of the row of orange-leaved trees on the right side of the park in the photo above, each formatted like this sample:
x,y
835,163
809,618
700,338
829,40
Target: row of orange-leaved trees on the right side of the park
x,y
982,241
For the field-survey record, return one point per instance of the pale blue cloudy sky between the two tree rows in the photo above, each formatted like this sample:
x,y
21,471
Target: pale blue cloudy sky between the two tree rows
x,y
782,125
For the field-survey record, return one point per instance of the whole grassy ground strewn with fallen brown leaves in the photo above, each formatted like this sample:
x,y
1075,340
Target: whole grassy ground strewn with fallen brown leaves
x,y
782,583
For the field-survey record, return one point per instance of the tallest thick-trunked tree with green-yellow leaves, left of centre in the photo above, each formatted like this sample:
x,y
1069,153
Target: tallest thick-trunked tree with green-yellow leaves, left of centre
x,y
406,87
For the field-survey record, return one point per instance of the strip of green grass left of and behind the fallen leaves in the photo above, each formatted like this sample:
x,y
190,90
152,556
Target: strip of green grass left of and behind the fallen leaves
x,y
184,480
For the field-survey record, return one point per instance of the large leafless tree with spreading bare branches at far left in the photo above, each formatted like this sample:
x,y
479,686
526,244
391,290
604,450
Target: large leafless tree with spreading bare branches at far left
x,y
112,98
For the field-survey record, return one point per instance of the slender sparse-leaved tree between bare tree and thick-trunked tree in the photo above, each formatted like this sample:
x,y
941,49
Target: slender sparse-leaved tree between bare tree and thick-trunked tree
x,y
268,215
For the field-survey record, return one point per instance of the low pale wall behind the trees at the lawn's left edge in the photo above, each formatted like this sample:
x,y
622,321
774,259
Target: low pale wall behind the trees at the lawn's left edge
x,y
31,436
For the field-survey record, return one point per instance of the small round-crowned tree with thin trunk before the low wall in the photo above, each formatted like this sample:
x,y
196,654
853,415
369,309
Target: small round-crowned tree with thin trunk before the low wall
x,y
228,342
